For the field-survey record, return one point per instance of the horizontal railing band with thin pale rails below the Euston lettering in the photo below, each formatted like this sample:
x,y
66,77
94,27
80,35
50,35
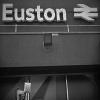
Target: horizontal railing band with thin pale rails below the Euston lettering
x,y
41,29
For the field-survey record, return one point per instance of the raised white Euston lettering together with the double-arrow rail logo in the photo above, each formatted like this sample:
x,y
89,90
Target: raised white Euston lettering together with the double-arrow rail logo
x,y
11,14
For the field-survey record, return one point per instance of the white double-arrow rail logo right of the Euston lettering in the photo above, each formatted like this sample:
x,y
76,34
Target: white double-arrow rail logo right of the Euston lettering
x,y
85,12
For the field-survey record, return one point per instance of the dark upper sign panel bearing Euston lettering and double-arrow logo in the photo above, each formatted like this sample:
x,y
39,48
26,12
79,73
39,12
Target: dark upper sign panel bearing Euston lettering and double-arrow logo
x,y
34,12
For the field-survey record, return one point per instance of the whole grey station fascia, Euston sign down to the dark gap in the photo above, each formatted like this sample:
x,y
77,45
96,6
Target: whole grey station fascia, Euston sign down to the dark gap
x,y
20,20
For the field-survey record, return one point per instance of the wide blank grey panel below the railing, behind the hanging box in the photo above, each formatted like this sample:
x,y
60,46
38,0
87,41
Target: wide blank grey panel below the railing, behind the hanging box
x,y
27,50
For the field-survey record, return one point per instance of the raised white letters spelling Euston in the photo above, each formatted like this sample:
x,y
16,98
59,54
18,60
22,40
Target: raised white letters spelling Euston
x,y
14,14
